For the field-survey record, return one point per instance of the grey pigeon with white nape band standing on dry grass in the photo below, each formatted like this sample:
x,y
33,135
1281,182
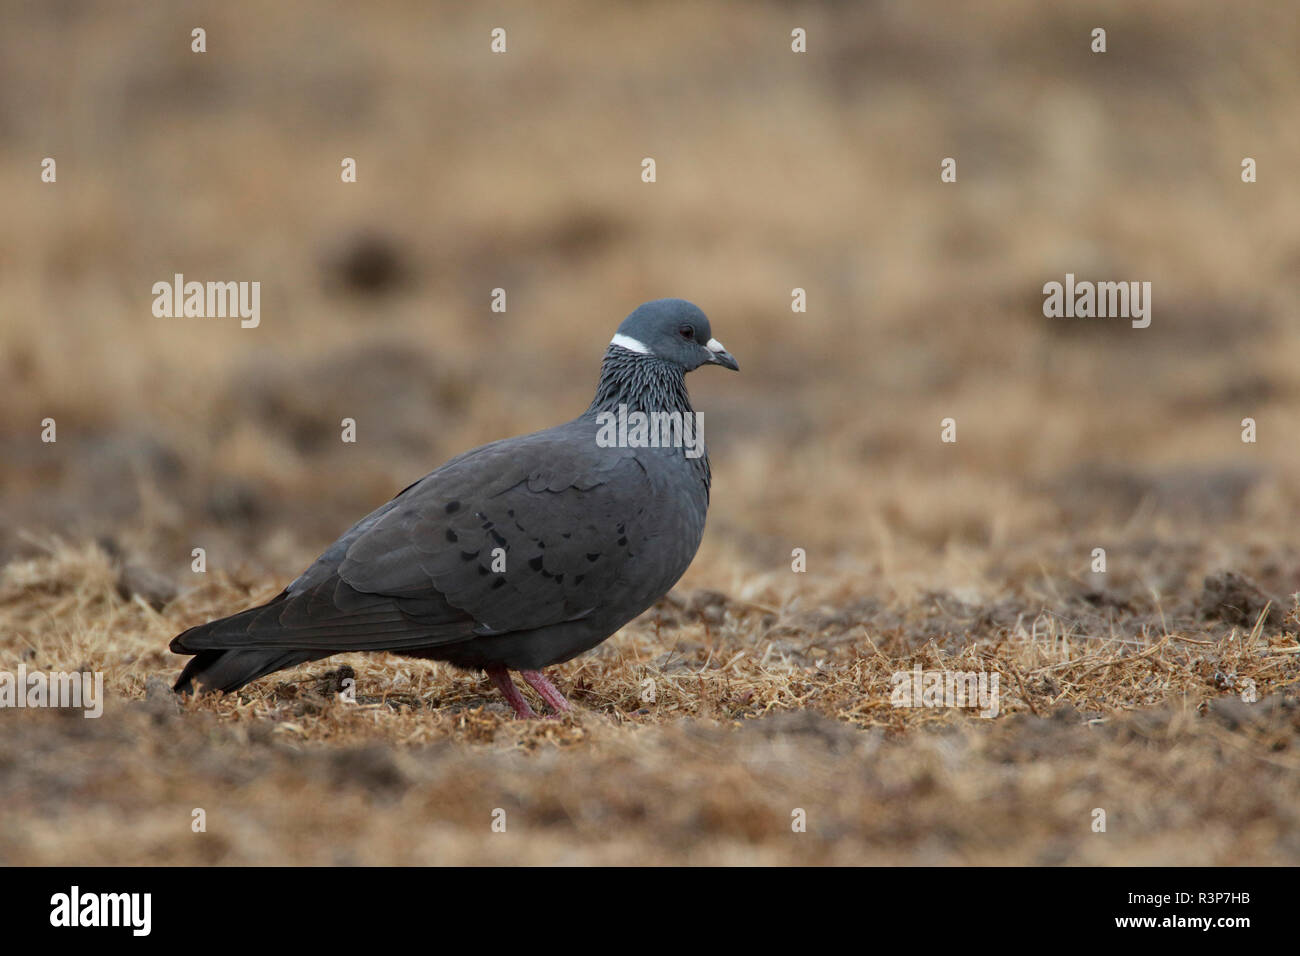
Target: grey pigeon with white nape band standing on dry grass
x,y
515,556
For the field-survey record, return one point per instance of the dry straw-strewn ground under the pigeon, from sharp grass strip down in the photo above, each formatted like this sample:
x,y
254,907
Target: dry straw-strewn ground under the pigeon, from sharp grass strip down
x,y
761,707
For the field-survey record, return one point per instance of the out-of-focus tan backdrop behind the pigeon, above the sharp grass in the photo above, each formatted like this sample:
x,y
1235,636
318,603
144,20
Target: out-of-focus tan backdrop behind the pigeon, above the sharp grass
x,y
775,171
